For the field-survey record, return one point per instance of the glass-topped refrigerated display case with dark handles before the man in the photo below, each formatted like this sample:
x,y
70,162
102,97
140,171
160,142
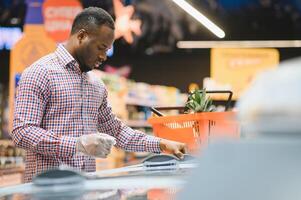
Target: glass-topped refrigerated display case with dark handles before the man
x,y
157,177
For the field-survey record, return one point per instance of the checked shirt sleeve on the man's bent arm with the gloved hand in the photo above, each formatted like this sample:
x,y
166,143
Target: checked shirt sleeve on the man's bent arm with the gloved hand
x,y
30,104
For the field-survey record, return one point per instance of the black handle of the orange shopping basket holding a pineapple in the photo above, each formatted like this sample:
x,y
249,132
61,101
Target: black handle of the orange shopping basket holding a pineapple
x,y
157,112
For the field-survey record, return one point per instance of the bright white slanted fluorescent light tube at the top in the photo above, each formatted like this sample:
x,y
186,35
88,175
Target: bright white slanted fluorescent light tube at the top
x,y
200,18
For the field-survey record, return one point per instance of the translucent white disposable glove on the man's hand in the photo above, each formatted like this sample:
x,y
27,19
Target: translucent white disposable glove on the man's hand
x,y
97,145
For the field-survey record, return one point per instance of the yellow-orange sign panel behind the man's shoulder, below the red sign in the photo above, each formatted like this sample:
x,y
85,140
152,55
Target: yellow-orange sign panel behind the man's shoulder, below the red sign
x,y
33,45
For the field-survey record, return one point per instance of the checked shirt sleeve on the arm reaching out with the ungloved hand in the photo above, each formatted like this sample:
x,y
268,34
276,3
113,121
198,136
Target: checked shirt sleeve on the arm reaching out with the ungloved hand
x,y
126,138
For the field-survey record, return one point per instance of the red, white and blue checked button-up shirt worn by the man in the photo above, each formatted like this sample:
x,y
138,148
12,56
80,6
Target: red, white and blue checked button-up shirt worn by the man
x,y
55,104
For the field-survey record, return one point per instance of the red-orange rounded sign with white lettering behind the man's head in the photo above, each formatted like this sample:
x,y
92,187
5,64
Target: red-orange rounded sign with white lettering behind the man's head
x,y
58,17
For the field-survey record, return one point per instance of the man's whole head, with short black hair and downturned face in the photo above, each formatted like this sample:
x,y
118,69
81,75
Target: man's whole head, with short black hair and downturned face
x,y
92,34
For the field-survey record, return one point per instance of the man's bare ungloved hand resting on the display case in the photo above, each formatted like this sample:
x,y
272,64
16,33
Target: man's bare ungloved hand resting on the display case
x,y
176,148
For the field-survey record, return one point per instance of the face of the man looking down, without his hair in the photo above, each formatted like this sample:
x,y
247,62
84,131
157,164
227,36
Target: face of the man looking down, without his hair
x,y
92,47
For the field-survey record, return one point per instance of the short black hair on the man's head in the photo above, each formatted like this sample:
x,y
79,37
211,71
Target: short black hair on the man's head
x,y
91,17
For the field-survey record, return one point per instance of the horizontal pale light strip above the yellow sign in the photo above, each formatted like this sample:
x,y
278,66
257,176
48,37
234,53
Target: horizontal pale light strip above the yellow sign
x,y
239,44
